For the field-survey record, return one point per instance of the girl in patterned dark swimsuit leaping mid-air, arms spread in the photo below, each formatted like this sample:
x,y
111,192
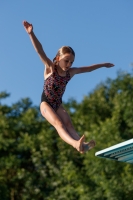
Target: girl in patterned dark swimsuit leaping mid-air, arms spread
x,y
57,74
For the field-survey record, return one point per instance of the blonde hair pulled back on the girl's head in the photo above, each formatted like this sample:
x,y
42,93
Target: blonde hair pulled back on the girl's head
x,y
63,50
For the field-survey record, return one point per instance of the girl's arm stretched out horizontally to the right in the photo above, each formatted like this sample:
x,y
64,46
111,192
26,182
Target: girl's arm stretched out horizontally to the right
x,y
79,70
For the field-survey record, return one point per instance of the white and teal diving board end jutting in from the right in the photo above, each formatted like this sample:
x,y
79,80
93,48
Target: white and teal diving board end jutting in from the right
x,y
122,152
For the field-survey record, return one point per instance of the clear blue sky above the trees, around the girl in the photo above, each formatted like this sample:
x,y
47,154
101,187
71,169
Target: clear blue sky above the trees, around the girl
x,y
99,31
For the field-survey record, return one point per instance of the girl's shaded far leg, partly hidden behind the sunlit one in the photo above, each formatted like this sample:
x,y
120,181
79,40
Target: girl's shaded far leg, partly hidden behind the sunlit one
x,y
62,113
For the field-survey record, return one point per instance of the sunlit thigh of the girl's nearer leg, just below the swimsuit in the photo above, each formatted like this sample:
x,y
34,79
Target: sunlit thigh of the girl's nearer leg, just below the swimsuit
x,y
49,114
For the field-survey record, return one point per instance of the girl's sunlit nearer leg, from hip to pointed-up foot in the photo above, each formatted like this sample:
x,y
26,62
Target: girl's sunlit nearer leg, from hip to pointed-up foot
x,y
50,115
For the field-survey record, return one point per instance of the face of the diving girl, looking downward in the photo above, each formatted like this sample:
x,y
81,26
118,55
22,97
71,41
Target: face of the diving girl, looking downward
x,y
66,61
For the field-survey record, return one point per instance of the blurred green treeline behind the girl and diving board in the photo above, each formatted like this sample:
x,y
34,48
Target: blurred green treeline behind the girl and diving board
x,y
35,164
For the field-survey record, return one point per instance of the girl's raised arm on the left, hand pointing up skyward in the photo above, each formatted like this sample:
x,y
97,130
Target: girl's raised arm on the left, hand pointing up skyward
x,y
37,45
